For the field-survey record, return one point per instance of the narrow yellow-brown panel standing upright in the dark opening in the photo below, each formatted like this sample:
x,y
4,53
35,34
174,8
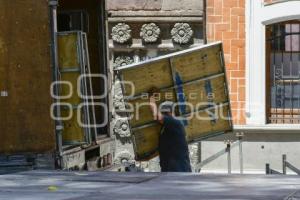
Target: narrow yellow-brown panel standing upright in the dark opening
x,y
69,58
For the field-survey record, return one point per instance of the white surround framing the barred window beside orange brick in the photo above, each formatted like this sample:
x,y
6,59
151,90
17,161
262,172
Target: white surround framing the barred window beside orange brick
x,y
258,16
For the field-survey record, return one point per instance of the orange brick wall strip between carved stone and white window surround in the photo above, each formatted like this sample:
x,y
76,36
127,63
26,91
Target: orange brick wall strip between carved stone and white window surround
x,y
226,23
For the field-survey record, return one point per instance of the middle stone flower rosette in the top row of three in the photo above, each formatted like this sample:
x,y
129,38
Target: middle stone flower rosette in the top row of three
x,y
150,32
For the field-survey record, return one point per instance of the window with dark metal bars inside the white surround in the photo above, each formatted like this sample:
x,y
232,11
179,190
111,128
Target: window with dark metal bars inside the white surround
x,y
283,72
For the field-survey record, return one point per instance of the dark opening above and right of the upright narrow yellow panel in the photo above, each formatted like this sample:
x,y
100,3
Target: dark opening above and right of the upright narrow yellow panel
x,y
88,17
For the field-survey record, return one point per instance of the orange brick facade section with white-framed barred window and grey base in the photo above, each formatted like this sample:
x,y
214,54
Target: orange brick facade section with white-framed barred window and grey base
x,y
261,46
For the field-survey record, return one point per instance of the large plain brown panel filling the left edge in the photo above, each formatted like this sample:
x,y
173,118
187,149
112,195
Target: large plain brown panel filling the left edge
x,y
25,75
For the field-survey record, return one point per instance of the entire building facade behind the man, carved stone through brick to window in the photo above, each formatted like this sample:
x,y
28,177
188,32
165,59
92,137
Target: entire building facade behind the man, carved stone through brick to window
x,y
261,46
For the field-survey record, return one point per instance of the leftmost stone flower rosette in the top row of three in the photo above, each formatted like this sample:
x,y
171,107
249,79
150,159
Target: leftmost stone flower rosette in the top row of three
x,y
121,33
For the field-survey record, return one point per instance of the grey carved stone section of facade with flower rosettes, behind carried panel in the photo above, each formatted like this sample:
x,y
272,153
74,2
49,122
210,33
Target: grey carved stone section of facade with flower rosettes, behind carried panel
x,y
140,30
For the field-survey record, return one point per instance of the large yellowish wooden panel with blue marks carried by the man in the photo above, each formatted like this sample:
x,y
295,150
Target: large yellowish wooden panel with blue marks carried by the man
x,y
194,79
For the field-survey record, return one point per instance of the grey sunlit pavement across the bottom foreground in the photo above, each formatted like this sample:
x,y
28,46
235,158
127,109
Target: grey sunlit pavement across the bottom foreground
x,y
38,185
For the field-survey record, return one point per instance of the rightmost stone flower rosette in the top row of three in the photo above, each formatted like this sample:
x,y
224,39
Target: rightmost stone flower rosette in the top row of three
x,y
182,33
